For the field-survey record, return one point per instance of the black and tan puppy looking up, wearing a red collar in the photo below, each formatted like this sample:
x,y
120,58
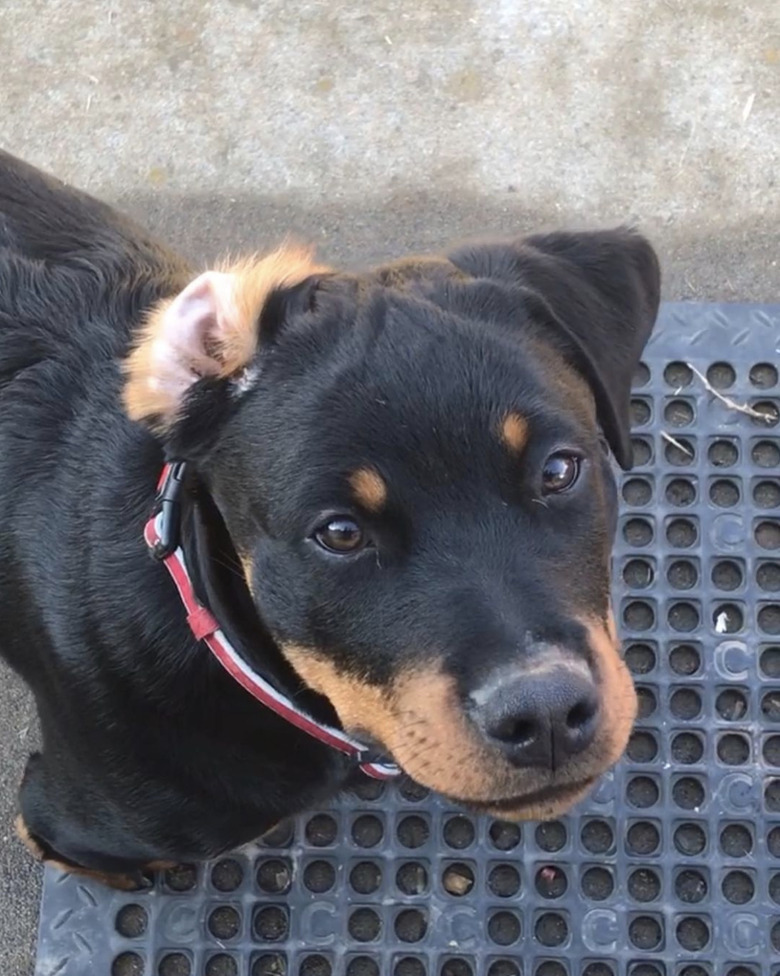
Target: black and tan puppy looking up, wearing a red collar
x,y
395,512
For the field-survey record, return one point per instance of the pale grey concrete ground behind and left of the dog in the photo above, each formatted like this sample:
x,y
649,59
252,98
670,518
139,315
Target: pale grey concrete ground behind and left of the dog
x,y
395,125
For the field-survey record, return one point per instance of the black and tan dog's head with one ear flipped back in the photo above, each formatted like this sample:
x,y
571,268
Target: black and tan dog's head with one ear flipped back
x,y
413,463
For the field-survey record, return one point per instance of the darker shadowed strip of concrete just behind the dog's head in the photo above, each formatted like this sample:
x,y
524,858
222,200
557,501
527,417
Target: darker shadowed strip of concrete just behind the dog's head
x,y
733,263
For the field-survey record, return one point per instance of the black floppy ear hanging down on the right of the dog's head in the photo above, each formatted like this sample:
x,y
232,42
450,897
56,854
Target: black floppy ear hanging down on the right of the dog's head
x,y
598,293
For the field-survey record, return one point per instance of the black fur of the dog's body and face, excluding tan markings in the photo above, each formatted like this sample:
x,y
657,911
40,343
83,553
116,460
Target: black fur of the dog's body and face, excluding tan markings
x,y
150,751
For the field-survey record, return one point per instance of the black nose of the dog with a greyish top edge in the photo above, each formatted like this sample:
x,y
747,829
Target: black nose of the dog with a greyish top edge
x,y
541,718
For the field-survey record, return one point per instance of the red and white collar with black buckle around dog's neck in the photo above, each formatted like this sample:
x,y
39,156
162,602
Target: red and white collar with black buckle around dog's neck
x,y
162,538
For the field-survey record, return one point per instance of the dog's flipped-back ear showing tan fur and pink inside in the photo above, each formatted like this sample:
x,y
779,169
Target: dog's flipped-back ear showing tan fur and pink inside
x,y
209,331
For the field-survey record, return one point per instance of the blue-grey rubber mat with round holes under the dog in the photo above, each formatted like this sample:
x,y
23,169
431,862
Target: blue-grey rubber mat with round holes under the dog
x,y
672,868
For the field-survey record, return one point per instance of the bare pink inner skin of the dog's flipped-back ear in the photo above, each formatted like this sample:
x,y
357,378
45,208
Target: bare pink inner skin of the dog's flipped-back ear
x,y
193,327
